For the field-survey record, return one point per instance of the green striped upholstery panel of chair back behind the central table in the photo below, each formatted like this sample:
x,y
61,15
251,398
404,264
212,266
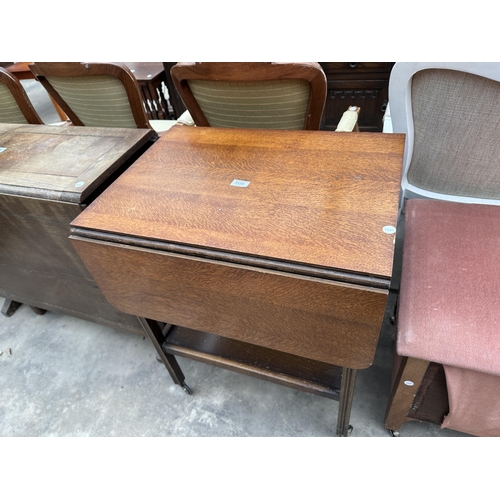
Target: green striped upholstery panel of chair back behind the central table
x,y
279,104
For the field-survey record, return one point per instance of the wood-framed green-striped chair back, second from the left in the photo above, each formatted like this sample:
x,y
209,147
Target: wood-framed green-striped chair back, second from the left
x,y
94,94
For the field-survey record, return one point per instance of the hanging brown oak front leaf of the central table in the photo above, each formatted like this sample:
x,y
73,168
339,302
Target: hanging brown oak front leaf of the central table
x,y
312,318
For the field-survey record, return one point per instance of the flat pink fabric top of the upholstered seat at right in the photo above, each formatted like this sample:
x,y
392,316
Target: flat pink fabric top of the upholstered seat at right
x,y
449,308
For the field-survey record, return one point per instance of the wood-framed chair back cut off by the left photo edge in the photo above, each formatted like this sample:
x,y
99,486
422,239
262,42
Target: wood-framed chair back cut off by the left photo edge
x,y
15,106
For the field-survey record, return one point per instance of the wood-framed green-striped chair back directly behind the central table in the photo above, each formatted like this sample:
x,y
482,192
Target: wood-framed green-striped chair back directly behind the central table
x,y
252,95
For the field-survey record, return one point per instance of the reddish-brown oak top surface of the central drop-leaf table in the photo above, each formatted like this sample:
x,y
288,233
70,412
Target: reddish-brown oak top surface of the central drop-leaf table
x,y
315,198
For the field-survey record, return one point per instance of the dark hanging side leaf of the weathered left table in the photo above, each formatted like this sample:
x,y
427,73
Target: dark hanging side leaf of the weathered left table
x,y
39,266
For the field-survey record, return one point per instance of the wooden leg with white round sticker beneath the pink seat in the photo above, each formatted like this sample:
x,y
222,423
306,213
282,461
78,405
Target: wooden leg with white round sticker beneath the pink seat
x,y
406,385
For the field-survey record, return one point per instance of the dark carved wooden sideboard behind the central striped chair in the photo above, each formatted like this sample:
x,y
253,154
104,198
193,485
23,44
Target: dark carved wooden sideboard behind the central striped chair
x,y
363,84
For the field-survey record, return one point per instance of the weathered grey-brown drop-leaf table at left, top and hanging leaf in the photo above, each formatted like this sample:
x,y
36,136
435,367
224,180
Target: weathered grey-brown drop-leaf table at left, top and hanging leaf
x,y
48,175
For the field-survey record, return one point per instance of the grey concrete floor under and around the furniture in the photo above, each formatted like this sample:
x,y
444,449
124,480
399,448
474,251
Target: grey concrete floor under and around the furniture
x,y
69,377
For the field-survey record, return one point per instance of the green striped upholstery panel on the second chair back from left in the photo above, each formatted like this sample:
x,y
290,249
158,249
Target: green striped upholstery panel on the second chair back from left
x,y
97,100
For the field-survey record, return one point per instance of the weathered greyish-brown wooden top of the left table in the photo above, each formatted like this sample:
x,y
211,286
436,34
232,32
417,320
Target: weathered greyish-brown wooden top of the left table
x,y
62,163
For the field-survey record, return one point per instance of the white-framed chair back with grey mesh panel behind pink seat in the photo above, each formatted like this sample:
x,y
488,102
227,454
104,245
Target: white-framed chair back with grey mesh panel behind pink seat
x,y
450,113
